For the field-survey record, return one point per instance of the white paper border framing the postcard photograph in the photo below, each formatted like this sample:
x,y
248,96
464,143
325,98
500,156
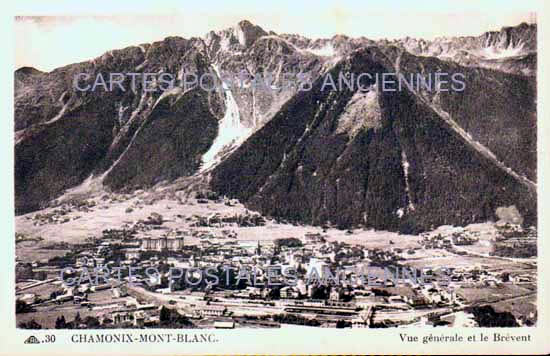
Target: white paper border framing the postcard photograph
x,y
247,341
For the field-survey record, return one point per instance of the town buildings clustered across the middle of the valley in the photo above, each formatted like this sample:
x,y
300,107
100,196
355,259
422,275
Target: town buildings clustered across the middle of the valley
x,y
350,301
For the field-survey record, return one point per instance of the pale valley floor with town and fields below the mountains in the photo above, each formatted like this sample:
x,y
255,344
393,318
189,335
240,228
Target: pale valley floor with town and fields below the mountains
x,y
225,232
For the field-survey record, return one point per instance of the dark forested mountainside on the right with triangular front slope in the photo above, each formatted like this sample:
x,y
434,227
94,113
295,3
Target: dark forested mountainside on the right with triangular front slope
x,y
399,162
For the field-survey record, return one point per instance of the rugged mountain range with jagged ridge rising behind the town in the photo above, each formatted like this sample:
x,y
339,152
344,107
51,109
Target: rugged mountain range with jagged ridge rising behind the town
x,y
405,160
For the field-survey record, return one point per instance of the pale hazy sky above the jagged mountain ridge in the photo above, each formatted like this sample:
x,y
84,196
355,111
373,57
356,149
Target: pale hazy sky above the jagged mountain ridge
x,y
66,32
